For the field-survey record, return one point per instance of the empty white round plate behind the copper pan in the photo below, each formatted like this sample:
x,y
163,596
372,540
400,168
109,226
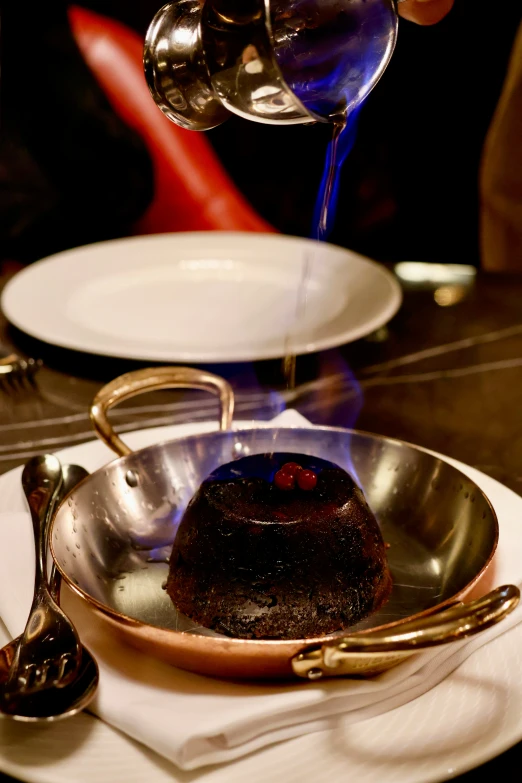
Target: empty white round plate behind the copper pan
x,y
202,297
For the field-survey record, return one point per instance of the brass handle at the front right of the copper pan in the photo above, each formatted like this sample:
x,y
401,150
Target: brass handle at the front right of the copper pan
x,y
375,651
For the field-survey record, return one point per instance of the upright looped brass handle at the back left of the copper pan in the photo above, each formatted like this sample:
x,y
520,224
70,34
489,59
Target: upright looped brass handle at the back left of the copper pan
x,y
154,379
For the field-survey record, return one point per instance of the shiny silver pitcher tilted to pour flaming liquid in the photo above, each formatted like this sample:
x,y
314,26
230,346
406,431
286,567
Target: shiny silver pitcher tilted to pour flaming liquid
x,y
281,62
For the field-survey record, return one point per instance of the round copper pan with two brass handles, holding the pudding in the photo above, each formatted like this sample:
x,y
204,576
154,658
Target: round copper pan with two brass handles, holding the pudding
x,y
112,536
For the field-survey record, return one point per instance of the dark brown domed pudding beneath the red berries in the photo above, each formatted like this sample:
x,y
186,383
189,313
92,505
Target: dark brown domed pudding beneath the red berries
x,y
254,561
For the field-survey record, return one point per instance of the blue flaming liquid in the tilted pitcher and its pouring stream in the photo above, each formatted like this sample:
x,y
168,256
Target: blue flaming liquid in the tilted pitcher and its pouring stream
x,y
331,54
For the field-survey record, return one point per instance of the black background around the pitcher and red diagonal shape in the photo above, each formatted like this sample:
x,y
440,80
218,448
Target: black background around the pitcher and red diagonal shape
x,y
409,188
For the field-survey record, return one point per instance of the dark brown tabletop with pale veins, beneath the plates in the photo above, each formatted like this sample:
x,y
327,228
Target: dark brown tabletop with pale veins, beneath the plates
x,y
445,374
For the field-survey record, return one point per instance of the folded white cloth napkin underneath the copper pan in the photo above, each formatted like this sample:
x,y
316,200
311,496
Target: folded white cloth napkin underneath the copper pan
x,y
194,720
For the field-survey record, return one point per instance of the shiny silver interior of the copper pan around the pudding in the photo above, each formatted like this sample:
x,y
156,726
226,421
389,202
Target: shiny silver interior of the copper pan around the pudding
x,y
112,536
